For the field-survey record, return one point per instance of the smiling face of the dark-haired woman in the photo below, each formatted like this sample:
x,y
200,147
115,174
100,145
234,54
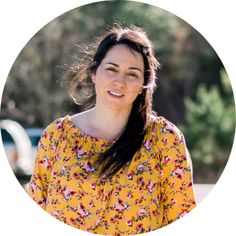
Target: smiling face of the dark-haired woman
x,y
119,78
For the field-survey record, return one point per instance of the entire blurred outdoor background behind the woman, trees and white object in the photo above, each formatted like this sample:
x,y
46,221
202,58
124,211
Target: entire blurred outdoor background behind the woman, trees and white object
x,y
193,91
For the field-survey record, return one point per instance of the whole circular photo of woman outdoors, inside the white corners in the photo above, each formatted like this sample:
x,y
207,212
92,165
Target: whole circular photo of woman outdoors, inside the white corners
x,y
117,118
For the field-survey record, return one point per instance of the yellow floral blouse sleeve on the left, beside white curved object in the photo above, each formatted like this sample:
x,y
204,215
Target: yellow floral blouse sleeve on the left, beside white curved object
x,y
45,158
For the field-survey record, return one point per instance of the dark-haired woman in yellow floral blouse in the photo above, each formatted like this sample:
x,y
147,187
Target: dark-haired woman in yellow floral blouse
x,y
118,168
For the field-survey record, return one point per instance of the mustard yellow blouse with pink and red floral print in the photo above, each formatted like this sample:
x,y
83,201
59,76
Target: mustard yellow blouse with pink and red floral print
x,y
151,191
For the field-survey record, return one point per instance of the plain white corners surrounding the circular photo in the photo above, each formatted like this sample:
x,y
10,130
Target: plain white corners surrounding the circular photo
x,y
20,20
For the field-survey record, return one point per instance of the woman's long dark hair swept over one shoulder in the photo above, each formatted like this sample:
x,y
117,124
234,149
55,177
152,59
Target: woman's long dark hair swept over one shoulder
x,y
122,151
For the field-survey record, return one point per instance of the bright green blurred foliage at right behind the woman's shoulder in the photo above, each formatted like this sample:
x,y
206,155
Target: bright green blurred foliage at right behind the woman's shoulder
x,y
209,130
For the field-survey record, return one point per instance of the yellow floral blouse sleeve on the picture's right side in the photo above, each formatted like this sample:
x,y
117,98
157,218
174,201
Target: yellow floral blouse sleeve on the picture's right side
x,y
177,184
